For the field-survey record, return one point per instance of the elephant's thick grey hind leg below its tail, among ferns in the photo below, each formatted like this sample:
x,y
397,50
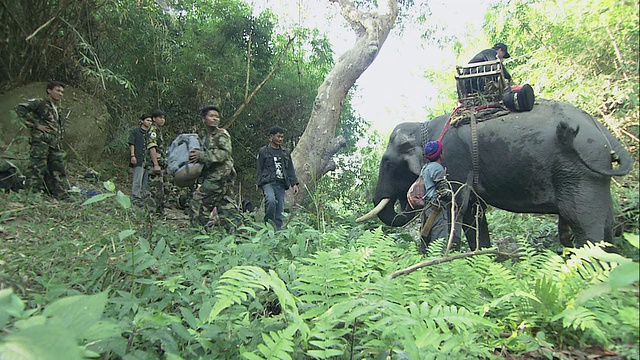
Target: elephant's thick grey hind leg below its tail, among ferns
x,y
590,217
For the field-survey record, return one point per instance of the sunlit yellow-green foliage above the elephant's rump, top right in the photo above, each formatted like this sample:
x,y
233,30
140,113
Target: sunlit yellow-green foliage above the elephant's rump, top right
x,y
581,51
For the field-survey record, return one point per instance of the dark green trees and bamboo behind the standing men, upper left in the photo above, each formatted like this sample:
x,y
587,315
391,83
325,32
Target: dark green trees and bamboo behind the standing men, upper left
x,y
177,56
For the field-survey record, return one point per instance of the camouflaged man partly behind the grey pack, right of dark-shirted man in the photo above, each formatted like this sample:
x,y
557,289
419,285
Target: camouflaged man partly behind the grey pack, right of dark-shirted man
x,y
155,161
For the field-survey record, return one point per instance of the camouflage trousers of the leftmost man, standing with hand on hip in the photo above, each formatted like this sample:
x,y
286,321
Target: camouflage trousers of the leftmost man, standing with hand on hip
x,y
47,172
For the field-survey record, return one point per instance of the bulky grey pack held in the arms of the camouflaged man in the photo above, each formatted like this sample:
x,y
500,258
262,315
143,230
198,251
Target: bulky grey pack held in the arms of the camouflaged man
x,y
184,173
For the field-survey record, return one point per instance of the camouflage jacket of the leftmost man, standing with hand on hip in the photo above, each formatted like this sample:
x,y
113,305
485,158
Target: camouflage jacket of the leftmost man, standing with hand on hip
x,y
42,112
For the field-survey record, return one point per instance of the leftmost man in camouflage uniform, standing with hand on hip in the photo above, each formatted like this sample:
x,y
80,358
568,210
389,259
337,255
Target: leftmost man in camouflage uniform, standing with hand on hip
x,y
45,121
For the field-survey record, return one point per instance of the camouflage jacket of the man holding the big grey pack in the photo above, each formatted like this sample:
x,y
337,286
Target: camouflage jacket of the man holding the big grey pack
x,y
216,156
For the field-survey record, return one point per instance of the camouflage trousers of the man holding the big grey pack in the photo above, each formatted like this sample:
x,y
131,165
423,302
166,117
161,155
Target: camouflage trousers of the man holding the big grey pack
x,y
212,204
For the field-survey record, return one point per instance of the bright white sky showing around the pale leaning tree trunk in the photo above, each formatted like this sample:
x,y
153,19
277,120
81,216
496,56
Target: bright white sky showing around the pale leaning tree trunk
x,y
393,89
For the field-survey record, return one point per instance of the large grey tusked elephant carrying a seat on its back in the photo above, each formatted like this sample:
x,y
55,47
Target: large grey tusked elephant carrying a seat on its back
x,y
554,159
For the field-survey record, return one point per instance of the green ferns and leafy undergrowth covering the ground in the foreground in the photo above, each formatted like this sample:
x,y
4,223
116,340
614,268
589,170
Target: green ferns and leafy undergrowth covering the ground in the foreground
x,y
100,280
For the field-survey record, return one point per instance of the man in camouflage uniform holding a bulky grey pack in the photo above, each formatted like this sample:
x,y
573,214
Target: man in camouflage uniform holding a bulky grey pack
x,y
212,202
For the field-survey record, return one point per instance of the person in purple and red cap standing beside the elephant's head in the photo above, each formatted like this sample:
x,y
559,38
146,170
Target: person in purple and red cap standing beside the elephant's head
x,y
436,224
